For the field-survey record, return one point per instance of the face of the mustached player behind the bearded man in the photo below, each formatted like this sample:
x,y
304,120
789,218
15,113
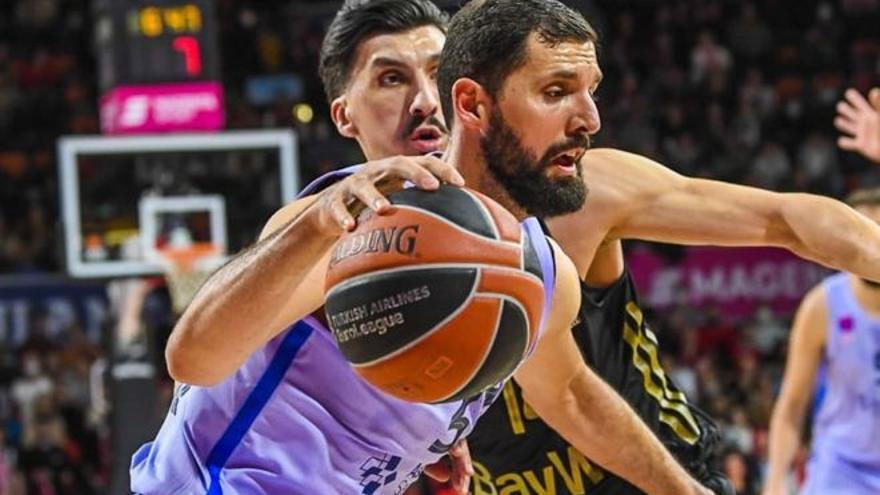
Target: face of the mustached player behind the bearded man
x,y
391,102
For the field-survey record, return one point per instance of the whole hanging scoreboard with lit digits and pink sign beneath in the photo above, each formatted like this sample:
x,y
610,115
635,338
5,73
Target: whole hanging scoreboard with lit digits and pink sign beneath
x,y
159,66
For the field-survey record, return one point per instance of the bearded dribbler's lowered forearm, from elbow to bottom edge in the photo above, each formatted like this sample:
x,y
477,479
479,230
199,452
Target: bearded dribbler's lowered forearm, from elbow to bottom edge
x,y
599,423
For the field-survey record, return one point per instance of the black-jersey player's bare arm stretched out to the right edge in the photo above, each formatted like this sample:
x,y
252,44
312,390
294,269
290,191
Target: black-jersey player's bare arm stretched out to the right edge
x,y
635,197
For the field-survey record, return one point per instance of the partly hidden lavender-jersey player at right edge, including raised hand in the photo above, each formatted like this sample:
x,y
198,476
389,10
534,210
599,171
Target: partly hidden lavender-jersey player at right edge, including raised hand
x,y
835,339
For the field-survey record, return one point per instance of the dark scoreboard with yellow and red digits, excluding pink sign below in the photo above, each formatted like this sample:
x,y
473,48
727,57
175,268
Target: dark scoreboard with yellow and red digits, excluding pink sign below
x,y
156,41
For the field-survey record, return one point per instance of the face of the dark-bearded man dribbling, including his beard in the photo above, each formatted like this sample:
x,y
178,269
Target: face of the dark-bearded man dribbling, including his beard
x,y
540,127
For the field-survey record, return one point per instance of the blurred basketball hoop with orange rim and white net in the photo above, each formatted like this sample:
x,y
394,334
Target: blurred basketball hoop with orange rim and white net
x,y
187,268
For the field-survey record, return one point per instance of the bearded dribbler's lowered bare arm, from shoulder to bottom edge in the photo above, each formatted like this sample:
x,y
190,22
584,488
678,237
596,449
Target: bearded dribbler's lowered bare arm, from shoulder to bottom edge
x,y
573,400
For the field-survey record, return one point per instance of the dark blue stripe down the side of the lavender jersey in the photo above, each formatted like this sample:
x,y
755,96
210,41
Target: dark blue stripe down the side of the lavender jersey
x,y
255,402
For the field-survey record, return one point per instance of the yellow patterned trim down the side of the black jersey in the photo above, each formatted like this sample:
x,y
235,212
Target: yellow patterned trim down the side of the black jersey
x,y
673,404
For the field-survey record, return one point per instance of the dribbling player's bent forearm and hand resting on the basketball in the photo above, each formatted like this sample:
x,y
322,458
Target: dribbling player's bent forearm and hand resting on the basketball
x,y
280,279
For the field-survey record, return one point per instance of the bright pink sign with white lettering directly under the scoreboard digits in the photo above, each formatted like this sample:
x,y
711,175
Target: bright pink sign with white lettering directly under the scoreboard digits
x,y
194,106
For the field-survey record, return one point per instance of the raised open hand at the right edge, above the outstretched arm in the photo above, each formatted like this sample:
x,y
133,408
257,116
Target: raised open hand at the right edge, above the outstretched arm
x,y
859,120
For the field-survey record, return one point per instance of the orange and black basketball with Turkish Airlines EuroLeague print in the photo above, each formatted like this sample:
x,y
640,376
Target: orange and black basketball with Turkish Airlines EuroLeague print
x,y
437,300
